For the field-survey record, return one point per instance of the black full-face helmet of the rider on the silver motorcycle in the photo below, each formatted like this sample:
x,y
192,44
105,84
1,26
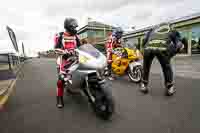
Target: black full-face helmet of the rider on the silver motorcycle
x,y
70,24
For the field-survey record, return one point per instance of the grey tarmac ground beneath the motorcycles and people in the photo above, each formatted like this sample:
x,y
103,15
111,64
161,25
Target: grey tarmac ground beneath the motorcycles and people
x,y
31,108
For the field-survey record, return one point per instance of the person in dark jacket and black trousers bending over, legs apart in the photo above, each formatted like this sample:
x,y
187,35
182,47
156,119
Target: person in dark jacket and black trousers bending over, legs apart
x,y
162,42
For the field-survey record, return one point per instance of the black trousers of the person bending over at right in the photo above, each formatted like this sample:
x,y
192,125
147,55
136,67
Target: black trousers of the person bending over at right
x,y
164,59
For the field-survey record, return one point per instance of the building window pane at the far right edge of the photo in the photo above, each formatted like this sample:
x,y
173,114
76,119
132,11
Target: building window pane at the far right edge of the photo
x,y
195,44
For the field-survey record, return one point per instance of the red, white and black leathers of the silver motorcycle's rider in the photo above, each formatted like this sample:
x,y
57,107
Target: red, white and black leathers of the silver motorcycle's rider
x,y
67,44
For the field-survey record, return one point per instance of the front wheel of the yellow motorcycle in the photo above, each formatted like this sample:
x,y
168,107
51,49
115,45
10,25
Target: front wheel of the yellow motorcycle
x,y
135,75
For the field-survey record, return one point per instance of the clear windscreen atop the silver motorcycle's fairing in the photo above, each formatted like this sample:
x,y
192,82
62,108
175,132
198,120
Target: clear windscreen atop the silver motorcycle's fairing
x,y
88,48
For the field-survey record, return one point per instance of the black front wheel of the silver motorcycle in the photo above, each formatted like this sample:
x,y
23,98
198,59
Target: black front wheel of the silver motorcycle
x,y
104,105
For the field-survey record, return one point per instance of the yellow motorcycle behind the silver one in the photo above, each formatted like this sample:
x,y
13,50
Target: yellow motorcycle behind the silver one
x,y
127,61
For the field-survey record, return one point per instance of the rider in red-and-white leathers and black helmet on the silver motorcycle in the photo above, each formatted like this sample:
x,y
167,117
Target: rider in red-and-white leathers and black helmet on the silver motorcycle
x,y
65,44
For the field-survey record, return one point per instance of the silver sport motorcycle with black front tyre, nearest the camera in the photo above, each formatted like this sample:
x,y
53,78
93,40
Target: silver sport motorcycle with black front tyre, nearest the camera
x,y
88,77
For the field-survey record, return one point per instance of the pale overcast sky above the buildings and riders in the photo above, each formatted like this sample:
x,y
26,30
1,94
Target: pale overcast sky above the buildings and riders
x,y
36,21
